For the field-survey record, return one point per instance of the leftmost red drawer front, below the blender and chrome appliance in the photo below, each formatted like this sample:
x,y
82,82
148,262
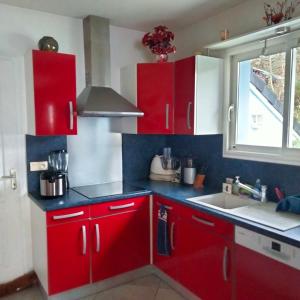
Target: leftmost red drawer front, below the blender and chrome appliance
x,y
68,215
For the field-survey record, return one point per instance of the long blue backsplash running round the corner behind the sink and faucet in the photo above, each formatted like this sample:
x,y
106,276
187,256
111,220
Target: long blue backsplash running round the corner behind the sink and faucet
x,y
138,151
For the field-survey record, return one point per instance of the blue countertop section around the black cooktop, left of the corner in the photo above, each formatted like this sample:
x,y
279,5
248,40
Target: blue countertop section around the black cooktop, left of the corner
x,y
73,198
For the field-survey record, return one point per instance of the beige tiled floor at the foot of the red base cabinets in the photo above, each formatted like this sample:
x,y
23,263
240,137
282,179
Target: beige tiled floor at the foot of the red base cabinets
x,y
145,288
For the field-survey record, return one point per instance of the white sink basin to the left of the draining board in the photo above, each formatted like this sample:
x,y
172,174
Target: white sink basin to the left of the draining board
x,y
223,201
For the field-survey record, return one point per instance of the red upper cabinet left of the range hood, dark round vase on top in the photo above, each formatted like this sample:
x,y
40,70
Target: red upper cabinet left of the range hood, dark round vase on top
x,y
51,93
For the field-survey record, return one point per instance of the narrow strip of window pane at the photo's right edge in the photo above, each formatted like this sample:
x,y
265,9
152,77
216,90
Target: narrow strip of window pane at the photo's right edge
x,y
294,135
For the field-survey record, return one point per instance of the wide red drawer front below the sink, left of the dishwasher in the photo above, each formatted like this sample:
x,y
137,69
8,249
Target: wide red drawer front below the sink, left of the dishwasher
x,y
210,222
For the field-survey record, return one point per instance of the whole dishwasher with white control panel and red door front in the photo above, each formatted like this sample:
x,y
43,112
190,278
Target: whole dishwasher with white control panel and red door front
x,y
266,269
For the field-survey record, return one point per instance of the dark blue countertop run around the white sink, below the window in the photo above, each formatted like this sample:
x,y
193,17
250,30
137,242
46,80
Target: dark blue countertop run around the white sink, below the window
x,y
180,193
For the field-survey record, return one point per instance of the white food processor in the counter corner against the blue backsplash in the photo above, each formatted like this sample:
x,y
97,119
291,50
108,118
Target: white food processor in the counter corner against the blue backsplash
x,y
165,167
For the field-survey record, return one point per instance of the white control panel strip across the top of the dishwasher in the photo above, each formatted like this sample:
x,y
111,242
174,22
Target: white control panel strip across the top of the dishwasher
x,y
277,250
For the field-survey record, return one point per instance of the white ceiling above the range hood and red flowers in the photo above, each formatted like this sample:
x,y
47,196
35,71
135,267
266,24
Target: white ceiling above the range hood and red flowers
x,y
135,14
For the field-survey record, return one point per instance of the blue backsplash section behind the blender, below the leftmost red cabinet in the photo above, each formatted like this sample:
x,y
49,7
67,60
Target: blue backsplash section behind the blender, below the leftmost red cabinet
x,y
37,149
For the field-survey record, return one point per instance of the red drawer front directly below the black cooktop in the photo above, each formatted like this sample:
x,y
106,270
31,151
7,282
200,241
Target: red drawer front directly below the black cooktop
x,y
118,206
